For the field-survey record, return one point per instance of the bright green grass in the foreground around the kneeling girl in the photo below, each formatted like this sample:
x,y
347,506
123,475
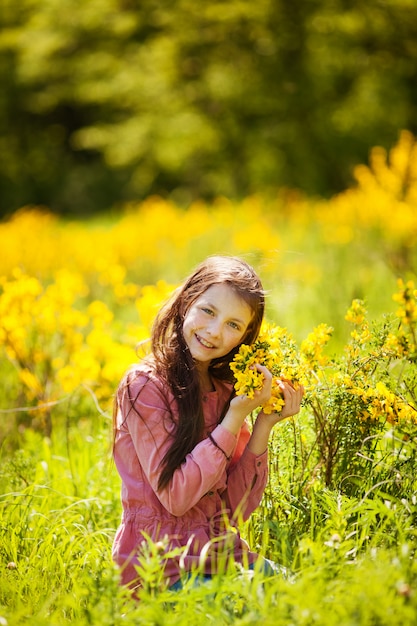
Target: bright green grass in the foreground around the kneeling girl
x,y
352,559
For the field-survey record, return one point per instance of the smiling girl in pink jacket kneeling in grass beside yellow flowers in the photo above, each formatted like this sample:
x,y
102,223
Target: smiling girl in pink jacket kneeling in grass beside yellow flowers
x,y
190,467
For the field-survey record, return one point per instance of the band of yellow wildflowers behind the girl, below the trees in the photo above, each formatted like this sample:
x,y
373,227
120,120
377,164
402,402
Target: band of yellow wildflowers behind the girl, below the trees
x,y
78,297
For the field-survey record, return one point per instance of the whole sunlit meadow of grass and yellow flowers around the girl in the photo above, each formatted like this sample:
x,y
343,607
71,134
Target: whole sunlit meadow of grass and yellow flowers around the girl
x,y
340,510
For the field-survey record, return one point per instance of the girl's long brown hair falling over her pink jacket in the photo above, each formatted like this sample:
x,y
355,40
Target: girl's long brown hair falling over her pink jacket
x,y
173,360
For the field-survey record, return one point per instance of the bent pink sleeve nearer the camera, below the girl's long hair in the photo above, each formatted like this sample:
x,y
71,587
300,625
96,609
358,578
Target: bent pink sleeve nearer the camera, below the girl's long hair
x,y
150,426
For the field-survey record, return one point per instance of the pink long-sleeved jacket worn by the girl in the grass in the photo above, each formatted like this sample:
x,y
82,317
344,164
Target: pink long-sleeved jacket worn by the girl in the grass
x,y
208,495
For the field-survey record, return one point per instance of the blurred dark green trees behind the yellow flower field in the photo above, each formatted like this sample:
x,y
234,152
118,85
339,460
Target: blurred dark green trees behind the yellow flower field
x,y
104,101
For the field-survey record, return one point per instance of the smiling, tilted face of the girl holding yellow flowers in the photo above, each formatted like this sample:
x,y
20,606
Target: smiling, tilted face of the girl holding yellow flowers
x,y
215,323
